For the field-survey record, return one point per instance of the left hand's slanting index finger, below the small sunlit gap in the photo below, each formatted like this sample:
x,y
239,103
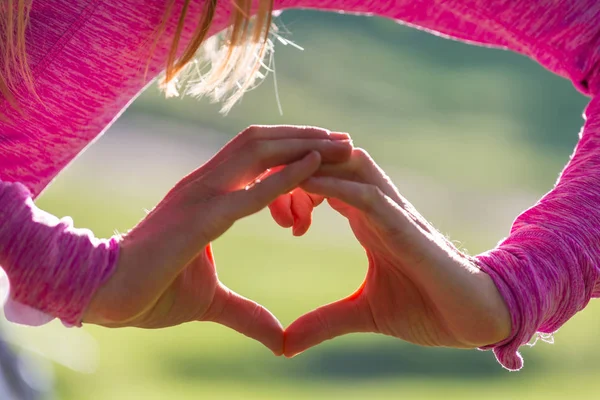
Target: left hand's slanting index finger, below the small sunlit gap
x,y
242,203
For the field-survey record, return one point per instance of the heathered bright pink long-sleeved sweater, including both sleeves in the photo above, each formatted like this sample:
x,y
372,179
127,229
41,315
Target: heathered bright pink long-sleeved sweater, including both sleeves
x,y
88,57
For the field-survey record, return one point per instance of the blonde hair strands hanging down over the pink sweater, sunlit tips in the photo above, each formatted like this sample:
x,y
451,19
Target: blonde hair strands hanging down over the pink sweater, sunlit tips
x,y
222,67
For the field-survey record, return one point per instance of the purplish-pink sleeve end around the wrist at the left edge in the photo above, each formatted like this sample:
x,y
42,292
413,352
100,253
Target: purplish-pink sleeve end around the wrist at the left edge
x,y
53,268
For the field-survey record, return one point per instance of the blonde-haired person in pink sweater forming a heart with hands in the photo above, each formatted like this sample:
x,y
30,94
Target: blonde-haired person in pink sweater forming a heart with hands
x,y
86,61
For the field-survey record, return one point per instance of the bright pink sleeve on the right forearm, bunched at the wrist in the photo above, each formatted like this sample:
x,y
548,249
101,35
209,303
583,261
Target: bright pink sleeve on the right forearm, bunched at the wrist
x,y
548,268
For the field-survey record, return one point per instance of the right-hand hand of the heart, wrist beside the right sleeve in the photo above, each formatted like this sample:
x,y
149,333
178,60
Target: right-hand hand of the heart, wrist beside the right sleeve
x,y
418,287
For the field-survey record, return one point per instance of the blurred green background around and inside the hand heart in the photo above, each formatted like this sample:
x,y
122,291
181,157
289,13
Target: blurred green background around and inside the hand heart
x,y
471,136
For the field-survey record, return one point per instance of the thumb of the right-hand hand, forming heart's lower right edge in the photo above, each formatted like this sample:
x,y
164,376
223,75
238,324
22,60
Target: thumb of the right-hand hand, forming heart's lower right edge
x,y
350,315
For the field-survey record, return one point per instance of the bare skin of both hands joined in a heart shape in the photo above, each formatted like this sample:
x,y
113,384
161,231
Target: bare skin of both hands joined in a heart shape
x,y
418,287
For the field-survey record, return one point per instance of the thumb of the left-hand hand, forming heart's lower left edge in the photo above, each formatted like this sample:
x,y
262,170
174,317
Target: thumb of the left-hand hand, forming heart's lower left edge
x,y
247,317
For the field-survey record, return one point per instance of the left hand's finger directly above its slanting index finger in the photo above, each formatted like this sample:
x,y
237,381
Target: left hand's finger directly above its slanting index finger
x,y
252,160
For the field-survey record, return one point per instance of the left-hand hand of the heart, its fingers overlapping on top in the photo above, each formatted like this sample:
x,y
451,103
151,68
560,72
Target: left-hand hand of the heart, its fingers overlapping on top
x,y
166,272
